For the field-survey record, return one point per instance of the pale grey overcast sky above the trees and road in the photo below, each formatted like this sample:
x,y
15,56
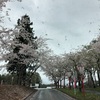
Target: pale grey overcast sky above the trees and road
x,y
68,23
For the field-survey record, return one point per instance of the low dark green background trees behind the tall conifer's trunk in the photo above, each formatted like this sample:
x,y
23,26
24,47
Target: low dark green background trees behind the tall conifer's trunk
x,y
11,79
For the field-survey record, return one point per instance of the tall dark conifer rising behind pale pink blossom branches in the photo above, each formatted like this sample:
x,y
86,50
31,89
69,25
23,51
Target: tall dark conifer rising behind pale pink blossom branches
x,y
23,49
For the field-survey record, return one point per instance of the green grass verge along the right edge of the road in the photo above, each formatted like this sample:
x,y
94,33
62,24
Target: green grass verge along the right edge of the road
x,y
80,96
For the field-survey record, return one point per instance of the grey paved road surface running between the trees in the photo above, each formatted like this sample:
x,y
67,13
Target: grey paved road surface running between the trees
x,y
49,94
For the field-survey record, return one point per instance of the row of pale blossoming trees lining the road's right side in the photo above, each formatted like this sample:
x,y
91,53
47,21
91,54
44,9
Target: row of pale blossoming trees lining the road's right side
x,y
79,67
